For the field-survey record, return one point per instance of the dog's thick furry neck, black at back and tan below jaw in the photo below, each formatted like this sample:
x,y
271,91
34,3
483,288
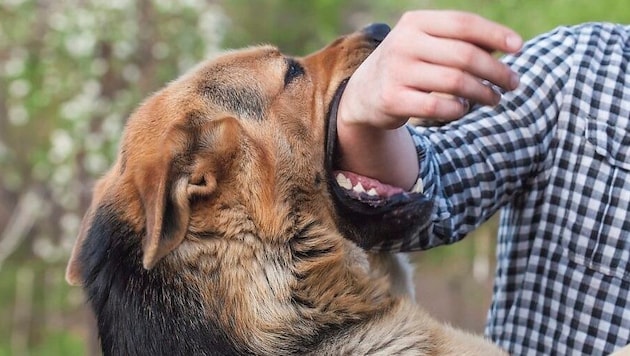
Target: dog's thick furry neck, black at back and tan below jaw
x,y
287,283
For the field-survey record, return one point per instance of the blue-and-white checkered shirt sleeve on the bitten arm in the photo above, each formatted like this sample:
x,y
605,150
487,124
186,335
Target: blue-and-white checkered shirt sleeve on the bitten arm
x,y
472,167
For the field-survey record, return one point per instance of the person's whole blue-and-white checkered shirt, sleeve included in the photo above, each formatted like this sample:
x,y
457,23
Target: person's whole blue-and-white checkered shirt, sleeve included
x,y
554,158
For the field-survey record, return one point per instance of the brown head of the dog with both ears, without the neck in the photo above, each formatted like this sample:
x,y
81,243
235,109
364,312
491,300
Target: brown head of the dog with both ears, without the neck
x,y
243,132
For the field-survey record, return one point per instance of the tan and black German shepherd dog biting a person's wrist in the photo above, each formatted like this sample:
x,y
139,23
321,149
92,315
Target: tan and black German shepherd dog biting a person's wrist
x,y
219,230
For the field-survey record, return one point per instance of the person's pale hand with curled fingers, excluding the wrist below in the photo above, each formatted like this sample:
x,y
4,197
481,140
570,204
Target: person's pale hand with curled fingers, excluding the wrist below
x,y
429,52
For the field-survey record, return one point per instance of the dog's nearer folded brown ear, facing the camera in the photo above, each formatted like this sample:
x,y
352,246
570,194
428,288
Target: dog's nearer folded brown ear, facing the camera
x,y
167,192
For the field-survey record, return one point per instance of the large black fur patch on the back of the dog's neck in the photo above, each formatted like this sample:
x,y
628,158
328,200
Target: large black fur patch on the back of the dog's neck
x,y
142,312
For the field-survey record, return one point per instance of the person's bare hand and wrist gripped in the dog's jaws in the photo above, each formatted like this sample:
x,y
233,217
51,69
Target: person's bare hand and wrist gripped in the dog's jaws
x,y
429,66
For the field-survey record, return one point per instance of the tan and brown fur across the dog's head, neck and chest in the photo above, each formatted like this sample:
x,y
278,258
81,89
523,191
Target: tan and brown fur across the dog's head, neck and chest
x,y
236,159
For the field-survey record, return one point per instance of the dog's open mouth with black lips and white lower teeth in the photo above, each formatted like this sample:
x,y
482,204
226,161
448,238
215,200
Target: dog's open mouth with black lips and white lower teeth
x,y
372,214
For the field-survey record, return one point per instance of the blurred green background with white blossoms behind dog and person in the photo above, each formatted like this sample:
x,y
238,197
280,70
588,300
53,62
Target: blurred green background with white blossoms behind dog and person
x,y
70,73
